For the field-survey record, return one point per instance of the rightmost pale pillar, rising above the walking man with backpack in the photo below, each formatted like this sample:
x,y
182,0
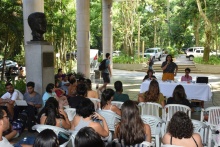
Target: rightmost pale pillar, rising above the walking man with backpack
x,y
107,27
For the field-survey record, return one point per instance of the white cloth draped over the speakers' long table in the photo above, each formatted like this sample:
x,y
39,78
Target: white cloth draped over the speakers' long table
x,y
198,91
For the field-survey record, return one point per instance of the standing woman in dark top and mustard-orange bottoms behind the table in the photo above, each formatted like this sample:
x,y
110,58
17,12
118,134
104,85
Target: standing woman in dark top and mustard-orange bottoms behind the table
x,y
169,69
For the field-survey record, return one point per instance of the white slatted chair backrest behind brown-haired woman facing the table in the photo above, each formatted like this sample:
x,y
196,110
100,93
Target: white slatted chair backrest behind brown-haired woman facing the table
x,y
150,108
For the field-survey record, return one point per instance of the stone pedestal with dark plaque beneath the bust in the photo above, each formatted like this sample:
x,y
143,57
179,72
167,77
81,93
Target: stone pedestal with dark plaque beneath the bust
x,y
39,62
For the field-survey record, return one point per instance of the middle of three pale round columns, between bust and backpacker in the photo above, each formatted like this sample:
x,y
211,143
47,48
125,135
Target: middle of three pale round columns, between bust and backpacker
x,y
82,31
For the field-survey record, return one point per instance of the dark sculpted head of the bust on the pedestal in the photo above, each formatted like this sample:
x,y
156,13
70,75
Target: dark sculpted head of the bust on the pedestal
x,y
37,22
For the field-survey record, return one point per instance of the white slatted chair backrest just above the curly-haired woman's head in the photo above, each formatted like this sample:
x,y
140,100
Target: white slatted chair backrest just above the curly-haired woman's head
x,y
170,109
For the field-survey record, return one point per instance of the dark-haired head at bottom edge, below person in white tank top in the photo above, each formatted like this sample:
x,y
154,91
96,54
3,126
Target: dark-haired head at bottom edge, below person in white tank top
x,y
88,137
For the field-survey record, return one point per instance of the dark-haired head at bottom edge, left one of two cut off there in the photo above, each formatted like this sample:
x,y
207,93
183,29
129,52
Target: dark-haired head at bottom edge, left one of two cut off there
x,y
46,138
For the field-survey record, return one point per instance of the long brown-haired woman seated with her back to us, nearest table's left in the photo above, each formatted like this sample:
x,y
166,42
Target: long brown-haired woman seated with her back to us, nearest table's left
x,y
153,94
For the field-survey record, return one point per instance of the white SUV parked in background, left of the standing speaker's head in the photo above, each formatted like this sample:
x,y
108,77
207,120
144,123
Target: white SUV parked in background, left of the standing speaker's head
x,y
155,52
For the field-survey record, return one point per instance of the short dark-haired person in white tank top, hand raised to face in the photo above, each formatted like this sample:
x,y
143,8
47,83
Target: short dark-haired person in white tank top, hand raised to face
x,y
85,114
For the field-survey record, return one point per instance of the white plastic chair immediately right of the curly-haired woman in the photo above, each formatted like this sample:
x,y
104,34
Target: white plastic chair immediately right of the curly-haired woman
x,y
202,129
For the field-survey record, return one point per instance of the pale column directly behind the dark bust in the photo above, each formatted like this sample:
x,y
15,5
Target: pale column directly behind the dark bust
x,y
30,6
